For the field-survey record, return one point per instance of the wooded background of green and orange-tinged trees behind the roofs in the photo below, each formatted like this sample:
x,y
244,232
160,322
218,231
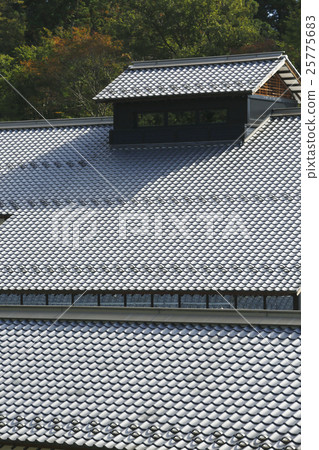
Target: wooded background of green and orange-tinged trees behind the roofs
x,y
60,53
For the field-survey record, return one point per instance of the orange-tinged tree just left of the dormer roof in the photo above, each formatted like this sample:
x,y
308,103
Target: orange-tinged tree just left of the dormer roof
x,y
80,64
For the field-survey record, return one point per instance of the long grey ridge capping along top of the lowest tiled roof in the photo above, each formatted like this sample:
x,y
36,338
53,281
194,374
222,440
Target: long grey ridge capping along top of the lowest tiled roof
x,y
153,315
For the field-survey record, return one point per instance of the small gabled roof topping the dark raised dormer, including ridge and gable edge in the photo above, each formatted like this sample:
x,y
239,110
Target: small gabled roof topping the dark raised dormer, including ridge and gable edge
x,y
209,75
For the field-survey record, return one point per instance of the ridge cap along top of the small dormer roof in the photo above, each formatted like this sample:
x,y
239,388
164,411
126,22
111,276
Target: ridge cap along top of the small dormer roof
x,y
205,60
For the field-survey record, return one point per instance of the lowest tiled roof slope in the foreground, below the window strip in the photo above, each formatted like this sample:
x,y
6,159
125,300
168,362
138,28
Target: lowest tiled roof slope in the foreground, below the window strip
x,y
149,386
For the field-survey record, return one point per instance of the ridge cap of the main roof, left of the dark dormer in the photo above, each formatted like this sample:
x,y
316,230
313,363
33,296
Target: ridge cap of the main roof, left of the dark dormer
x,y
54,123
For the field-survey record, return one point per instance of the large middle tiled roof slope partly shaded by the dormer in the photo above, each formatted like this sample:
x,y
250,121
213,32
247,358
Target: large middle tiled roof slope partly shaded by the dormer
x,y
220,217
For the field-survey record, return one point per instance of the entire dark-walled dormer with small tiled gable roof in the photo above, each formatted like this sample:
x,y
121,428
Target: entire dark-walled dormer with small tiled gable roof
x,y
199,99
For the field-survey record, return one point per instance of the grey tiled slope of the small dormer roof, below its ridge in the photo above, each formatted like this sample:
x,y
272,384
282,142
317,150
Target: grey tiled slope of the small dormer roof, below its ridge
x,y
206,79
